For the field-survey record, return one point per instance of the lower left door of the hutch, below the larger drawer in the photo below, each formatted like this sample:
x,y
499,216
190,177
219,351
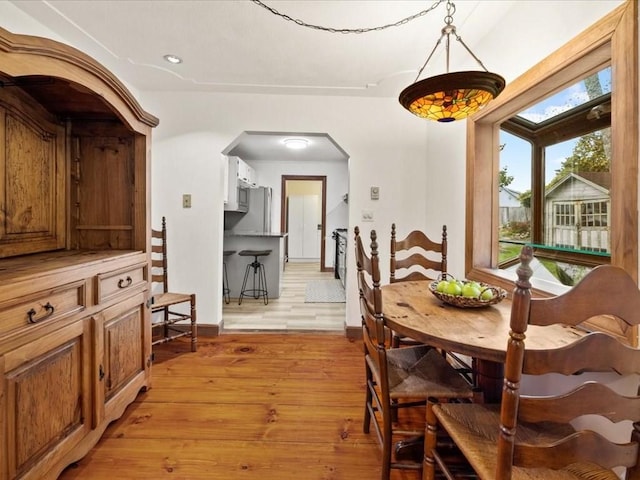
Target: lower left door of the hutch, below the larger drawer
x,y
46,409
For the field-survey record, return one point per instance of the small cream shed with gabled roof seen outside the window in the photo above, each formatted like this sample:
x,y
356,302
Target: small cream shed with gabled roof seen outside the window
x,y
577,209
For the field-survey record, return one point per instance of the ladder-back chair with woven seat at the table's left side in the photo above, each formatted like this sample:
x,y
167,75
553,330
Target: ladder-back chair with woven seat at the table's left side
x,y
397,378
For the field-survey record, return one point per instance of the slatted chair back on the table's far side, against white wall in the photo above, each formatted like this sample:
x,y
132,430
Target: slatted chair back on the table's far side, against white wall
x,y
417,257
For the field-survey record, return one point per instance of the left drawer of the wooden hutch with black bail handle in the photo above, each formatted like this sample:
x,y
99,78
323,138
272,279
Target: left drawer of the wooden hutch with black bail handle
x,y
43,306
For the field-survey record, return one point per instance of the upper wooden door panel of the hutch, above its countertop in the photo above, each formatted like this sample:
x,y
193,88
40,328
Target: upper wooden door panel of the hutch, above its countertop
x,y
32,192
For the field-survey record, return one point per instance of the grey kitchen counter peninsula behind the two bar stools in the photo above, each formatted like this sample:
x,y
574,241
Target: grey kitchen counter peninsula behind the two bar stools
x,y
236,265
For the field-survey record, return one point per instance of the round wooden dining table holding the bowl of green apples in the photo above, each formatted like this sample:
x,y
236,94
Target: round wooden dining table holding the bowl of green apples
x,y
480,333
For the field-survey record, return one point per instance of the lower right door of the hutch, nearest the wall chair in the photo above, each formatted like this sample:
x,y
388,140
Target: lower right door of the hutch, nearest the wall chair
x,y
122,356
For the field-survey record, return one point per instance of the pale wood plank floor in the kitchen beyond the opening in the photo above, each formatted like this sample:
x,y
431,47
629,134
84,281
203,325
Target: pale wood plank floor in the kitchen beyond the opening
x,y
289,312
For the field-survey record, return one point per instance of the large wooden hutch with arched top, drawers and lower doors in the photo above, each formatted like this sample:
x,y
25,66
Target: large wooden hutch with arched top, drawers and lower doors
x,y
75,331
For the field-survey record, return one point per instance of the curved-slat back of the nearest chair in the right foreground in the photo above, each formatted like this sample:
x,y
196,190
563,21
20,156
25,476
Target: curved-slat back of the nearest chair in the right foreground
x,y
606,290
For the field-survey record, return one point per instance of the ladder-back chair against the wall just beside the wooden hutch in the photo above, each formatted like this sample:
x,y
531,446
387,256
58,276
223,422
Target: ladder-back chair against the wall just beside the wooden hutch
x,y
170,307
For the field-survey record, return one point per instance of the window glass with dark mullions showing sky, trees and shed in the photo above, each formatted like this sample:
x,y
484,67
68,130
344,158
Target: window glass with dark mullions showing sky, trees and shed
x,y
555,162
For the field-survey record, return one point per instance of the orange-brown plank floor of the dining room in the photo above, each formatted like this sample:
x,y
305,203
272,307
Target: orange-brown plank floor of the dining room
x,y
269,406
